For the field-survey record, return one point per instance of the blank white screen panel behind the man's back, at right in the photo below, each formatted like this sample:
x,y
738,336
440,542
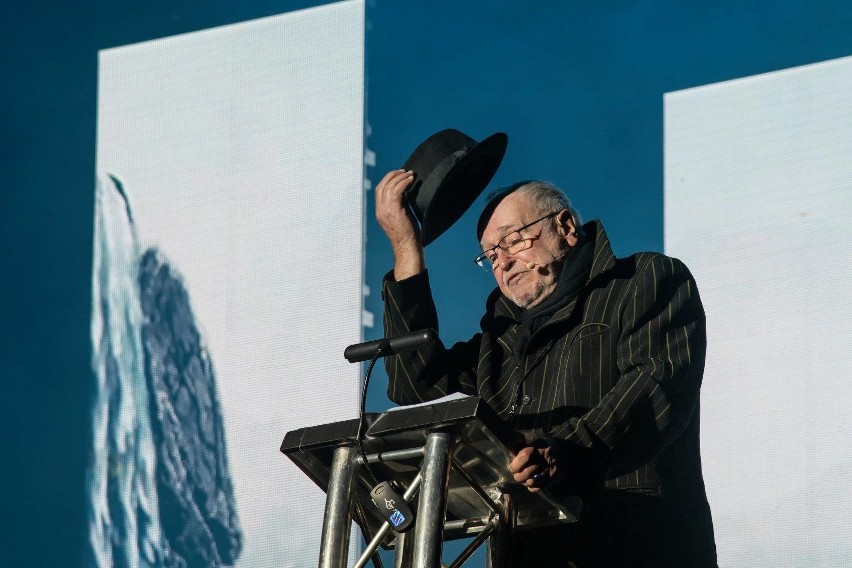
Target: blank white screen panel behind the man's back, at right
x,y
758,195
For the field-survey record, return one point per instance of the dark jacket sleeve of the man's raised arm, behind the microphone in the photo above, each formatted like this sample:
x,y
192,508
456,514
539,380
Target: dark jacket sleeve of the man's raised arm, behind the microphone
x,y
431,372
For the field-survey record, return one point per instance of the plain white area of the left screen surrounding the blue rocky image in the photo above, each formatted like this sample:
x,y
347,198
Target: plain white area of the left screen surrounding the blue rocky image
x,y
240,150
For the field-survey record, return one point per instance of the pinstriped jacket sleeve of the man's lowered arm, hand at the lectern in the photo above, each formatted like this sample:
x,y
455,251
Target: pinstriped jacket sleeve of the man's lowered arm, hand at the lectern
x,y
660,359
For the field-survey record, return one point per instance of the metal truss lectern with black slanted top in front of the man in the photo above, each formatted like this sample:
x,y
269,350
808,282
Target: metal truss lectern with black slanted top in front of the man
x,y
454,453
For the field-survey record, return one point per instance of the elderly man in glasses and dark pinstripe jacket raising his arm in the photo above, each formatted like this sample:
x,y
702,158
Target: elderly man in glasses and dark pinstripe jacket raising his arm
x,y
598,360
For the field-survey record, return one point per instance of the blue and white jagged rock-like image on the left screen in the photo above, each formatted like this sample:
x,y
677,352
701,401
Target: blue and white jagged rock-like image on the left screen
x,y
159,486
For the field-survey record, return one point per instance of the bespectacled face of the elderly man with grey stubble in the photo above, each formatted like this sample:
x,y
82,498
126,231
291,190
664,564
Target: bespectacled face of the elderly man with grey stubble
x,y
528,276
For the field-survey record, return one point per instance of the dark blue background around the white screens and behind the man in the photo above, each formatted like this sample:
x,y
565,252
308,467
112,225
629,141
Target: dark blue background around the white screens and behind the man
x,y
578,86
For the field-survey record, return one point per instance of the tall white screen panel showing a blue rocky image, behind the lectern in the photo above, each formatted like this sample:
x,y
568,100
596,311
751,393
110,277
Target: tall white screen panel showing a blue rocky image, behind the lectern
x,y
227,281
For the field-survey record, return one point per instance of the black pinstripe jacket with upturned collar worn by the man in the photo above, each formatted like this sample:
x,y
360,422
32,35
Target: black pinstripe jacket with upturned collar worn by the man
x,y
617,371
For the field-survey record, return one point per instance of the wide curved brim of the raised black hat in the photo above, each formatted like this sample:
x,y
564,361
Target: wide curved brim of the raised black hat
x,y
450,198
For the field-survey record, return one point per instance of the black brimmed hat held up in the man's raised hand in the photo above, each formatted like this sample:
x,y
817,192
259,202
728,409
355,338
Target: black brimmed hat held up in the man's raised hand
x,y
451,170
